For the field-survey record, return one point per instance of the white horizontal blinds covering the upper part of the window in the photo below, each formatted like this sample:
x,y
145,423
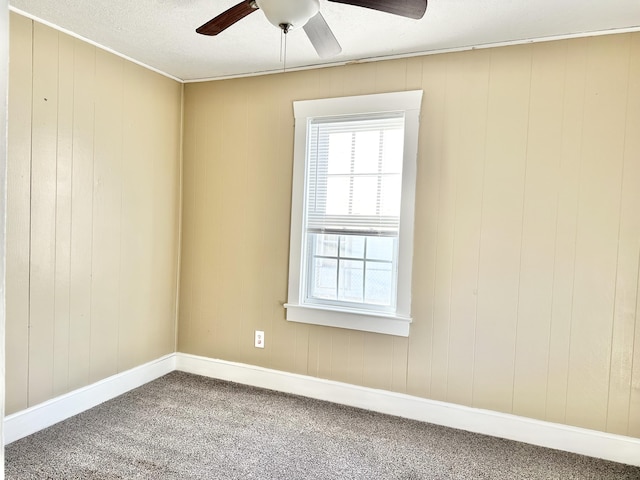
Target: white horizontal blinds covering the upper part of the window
x,y
354,179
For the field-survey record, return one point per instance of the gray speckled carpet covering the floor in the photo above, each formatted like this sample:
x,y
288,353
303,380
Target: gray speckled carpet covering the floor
x,y
183,426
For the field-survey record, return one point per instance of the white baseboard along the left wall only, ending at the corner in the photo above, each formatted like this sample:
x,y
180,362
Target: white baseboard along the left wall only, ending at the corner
x,y
43,415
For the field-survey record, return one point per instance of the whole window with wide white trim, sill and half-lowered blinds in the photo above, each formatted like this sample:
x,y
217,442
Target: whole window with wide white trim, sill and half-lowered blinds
x,y
352,214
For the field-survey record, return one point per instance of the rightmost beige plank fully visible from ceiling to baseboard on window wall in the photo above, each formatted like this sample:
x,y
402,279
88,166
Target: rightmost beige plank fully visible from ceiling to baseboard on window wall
x,y
598,229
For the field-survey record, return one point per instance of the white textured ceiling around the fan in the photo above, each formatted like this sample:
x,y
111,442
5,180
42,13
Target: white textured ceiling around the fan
x,y
161,33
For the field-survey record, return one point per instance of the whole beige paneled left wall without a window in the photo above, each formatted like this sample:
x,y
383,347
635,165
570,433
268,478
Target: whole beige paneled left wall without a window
x,y
93,200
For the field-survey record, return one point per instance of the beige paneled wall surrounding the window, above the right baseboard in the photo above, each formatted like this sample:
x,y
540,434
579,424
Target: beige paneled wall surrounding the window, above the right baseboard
x,y
525,293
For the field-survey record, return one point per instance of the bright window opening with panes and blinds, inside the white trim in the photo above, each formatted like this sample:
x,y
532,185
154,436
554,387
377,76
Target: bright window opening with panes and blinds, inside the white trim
x,y
354,185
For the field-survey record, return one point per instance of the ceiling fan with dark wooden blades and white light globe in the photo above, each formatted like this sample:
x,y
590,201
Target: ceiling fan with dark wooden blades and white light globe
x,y
289,14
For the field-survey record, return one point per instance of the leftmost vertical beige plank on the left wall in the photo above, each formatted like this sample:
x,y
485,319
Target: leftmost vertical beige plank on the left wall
x,y
18,215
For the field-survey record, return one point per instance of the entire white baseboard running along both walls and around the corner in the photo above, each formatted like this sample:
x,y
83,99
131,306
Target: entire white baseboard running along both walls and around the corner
x,y
593,443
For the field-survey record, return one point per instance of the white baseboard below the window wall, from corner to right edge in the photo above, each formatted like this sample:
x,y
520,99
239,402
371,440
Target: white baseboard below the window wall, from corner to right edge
x,y
592,443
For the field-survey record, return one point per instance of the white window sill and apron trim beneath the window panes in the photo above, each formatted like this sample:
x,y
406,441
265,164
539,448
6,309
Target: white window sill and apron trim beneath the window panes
x,y
363,320
